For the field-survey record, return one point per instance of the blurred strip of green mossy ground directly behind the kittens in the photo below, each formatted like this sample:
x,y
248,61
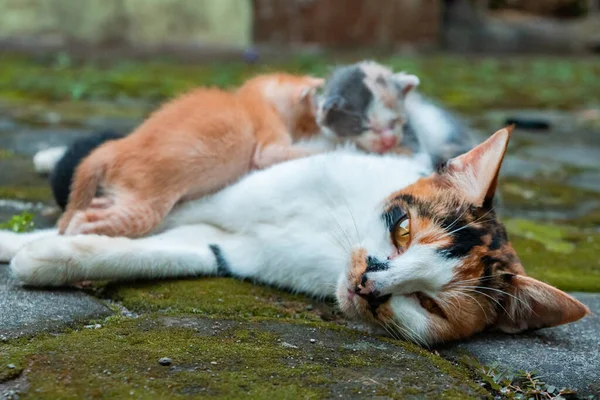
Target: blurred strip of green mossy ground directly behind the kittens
x,y
466,84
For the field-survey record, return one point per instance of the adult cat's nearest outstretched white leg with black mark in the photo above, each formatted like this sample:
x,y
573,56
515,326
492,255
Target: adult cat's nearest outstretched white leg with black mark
x,y
182,252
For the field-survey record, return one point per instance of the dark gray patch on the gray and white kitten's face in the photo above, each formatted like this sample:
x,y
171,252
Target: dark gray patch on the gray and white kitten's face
x,y
346,100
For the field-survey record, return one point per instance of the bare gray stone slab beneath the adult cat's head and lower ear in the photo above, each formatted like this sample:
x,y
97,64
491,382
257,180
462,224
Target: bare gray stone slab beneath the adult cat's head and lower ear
x,y
566,356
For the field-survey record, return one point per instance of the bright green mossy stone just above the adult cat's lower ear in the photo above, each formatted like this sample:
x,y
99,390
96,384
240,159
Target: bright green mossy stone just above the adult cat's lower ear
x,y
563,256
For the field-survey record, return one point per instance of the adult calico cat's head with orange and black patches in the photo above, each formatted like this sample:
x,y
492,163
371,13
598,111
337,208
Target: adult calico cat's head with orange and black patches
x,y
439,266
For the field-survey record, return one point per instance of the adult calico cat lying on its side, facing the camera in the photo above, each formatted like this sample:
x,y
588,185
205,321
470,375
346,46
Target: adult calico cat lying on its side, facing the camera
x,y
411,252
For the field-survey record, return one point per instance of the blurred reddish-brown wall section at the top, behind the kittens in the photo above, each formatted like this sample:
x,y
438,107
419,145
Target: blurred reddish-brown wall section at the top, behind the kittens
x,y
346,22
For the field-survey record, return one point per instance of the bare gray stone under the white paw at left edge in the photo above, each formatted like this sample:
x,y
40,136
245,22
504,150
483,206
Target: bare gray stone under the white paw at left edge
x,y
28,311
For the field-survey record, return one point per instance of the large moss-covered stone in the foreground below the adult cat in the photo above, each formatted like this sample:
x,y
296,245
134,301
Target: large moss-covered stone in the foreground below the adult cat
x,y
227,359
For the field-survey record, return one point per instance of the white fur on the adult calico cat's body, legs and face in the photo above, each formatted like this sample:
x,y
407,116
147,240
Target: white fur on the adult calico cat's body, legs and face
x,y
293,226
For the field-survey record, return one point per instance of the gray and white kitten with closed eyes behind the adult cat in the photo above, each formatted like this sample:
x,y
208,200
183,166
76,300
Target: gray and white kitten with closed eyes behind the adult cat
x,y
379,111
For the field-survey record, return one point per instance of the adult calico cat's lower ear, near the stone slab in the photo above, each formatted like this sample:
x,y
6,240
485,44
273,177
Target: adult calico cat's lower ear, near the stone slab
x,y
534,304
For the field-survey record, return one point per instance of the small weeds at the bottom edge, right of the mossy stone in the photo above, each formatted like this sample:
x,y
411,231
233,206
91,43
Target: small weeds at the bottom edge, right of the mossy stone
x,y
523,385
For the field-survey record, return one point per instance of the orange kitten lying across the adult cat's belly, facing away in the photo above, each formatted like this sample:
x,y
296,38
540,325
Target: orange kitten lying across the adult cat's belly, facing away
x,y
191,146
